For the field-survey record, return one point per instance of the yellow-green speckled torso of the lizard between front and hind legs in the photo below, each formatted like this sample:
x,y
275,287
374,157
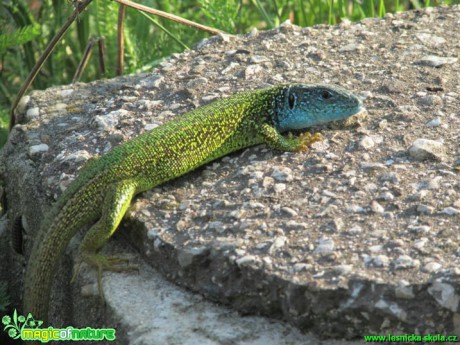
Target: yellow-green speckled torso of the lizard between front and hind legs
x,y
196,138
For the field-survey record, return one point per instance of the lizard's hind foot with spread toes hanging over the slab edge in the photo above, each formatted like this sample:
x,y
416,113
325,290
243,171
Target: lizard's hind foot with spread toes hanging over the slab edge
x,y
102,263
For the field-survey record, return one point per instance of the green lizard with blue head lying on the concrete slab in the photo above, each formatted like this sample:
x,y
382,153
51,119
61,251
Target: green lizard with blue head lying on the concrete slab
x,y
103,191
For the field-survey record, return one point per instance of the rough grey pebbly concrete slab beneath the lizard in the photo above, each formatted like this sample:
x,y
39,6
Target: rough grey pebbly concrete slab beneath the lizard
x,y
358,236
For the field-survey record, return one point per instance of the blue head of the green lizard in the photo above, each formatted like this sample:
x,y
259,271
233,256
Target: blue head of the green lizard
x,y
299,106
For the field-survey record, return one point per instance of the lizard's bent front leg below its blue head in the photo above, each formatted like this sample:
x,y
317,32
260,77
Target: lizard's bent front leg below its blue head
x,y
287,143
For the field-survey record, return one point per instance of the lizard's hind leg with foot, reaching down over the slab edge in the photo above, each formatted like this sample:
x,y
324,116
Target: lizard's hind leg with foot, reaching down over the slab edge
x,y
116,202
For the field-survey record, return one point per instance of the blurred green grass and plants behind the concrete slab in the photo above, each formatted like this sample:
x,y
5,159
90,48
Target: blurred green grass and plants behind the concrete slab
x,y
28,26
